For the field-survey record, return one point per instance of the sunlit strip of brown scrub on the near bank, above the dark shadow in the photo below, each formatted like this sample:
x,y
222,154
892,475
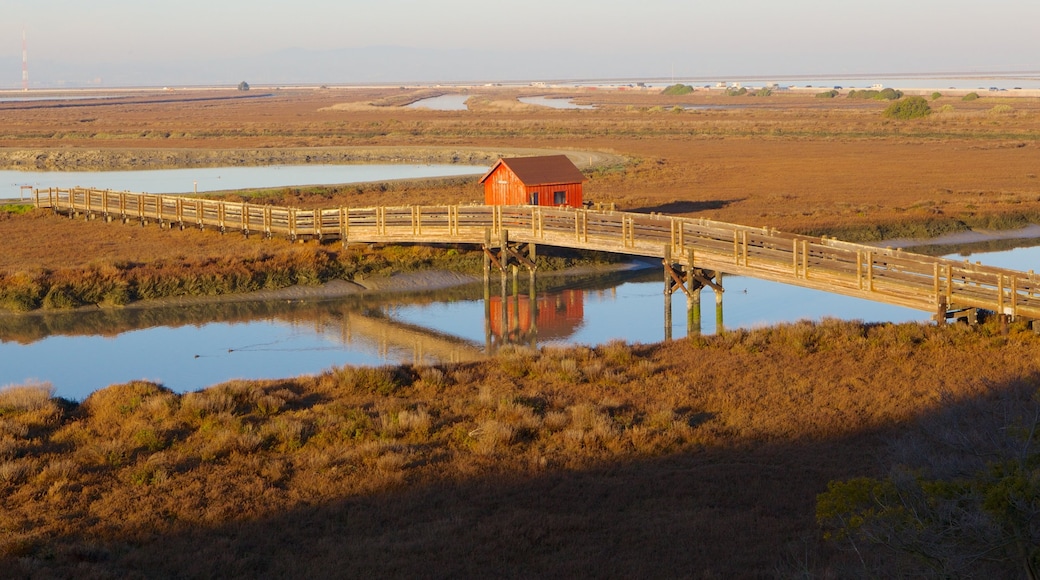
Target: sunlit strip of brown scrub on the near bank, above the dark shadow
x,y
83,483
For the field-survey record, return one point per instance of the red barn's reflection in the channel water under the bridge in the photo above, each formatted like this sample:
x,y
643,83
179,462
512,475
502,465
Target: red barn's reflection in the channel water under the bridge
x,y
559,315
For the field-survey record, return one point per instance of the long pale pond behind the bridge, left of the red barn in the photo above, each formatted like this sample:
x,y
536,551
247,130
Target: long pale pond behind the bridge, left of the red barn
x,y
219,179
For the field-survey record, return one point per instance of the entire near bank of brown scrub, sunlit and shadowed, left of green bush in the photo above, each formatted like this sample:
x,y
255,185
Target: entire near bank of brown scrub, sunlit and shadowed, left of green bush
x,y
683,463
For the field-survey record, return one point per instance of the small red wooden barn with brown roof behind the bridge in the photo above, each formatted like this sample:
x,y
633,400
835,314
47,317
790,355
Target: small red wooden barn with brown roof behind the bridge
x,y
538,181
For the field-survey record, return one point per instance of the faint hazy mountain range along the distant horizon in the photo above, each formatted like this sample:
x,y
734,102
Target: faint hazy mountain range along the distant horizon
x,y
372,65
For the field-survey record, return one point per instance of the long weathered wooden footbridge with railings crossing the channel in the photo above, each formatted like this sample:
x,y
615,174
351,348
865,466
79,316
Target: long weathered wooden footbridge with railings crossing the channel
x,y
695,252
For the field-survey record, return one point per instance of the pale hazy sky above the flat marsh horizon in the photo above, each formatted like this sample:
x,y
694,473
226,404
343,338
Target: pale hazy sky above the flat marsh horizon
x,y
129,42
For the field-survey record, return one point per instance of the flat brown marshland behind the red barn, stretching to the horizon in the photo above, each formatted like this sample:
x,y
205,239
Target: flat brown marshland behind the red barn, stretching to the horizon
x,y
790,162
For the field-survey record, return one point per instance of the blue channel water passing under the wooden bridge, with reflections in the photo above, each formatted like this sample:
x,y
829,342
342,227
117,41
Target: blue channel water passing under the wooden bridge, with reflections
x,y
189,349
